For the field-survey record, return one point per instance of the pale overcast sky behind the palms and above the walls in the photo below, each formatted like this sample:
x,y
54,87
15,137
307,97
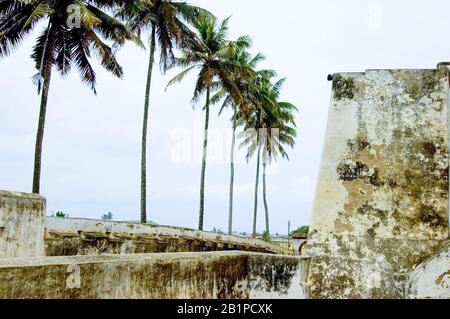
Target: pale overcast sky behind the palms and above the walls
x,y
91,156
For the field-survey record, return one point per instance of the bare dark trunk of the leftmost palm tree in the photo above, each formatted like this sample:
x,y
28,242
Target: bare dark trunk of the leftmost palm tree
x,y
40,133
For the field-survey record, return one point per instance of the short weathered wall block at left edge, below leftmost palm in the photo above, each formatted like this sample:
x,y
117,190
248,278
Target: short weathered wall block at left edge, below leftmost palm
x,y
21,224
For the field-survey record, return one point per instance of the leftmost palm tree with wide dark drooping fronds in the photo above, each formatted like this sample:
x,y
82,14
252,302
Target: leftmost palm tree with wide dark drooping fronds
x,y
61,45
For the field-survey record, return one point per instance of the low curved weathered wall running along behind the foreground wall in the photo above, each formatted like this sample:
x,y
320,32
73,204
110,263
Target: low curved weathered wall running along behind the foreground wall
x,y
67,237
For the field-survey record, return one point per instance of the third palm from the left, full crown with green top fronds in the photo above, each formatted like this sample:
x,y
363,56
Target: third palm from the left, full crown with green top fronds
x,y
210,53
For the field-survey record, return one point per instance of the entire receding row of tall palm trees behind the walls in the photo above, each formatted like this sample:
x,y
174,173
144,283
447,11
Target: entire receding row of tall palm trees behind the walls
x,y
227,73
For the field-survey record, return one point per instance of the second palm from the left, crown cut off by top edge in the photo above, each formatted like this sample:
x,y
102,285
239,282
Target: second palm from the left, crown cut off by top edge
x,y
165,21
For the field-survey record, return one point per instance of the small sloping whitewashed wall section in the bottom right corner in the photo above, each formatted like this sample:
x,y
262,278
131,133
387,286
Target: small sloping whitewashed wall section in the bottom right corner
x,y
432,278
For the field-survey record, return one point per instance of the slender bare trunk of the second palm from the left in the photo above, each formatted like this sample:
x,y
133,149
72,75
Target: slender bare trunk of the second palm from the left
x,y
144,130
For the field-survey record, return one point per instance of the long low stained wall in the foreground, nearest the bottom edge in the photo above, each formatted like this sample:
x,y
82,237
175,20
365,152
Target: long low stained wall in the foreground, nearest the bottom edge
x,y
178,275
